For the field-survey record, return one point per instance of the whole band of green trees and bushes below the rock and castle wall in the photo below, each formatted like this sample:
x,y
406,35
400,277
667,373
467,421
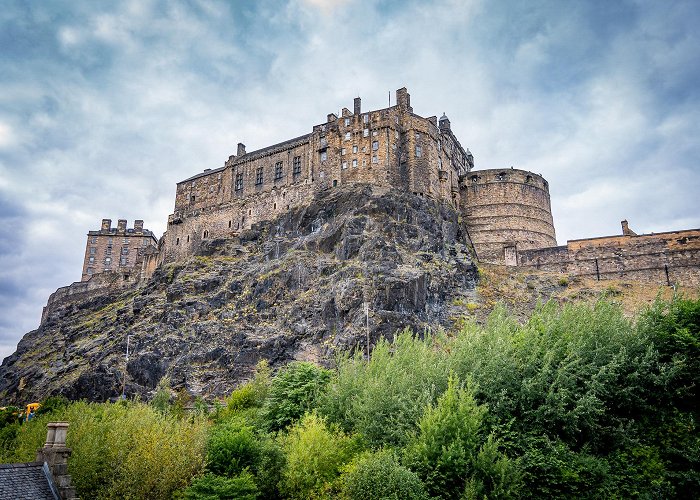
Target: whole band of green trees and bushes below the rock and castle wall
x,y
576,401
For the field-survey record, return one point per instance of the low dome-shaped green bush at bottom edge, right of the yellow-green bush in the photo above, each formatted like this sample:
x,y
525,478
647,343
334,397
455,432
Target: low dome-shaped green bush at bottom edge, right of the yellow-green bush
x,y
378,476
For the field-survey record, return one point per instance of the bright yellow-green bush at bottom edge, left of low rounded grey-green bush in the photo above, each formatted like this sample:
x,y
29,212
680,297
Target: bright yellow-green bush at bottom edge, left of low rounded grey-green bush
x,y
315,455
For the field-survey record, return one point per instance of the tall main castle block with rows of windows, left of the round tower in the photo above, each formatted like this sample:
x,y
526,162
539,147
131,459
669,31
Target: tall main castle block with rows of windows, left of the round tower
x,y
390,148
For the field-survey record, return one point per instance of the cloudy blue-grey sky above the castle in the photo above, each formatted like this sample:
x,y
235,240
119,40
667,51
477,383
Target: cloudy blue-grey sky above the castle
x,y
104,106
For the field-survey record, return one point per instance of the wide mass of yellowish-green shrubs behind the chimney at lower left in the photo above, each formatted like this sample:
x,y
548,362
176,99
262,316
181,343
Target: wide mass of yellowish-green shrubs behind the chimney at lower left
x,y
123,450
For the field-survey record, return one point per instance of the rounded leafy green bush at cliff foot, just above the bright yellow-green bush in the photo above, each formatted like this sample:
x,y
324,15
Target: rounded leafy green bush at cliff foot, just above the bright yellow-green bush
x,y
293,392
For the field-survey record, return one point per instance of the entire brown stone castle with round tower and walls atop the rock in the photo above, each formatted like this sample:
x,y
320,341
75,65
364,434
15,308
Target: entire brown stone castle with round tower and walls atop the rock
x,y
506,212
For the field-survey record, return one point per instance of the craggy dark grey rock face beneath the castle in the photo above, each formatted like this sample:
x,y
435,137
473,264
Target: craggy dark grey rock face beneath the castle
x,y
290,289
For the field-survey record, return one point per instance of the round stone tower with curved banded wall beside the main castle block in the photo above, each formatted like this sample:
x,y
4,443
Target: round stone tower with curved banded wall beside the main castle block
x,y
507,210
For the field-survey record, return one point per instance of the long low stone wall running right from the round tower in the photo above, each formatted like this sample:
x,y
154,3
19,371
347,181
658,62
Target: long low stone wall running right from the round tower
x,y
647,257
